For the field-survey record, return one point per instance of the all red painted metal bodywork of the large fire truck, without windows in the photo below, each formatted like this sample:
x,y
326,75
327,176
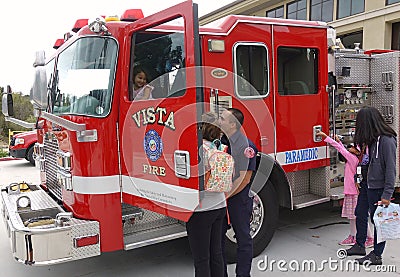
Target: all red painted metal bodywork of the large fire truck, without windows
x,y
293,117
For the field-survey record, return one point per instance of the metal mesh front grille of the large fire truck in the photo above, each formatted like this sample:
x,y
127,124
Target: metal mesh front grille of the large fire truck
x,y
50,149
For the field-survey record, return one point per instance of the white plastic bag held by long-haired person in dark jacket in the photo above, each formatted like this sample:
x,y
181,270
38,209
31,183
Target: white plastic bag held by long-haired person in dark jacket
x,y
387,222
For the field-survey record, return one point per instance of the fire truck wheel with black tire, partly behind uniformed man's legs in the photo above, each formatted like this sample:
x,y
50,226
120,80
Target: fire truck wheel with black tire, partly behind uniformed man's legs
x,y
263,223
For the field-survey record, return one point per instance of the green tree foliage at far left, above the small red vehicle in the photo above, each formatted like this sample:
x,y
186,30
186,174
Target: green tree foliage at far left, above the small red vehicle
x,y
23,110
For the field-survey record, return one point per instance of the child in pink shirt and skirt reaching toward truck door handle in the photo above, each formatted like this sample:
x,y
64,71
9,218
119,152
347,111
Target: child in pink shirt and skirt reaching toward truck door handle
x,y
350,187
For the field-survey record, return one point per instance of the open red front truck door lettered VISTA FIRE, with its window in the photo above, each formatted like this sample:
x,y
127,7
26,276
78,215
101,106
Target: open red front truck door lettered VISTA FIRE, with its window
x,y
159,138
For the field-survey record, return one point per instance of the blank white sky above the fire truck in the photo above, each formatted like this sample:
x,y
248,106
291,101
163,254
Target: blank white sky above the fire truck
x,y
30,26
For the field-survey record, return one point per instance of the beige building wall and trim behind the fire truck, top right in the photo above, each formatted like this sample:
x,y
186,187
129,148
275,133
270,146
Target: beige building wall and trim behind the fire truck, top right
x,y
375,22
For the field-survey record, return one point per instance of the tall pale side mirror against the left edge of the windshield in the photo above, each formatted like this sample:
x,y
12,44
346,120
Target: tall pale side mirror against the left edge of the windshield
x,y
39,89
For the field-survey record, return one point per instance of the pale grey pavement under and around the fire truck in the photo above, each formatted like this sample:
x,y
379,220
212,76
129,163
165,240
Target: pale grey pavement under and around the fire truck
x,y
305,244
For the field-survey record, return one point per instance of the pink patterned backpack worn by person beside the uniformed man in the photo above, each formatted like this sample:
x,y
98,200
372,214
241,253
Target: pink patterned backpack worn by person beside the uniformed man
x,y
219,167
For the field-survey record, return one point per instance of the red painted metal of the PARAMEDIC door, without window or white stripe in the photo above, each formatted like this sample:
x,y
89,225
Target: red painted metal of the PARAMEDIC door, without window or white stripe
x,y
296,115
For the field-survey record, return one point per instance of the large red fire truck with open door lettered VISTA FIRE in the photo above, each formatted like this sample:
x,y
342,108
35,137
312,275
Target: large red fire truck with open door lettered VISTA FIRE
x,y
119,173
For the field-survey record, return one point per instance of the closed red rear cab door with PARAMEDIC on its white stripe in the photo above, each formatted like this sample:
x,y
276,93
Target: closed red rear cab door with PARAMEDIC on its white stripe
x,y
301,100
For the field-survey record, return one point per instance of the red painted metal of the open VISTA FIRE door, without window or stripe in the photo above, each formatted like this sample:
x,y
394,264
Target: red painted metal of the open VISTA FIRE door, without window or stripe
x,y
183,110
